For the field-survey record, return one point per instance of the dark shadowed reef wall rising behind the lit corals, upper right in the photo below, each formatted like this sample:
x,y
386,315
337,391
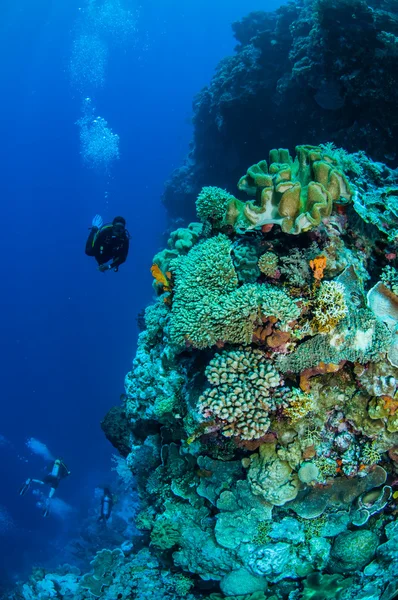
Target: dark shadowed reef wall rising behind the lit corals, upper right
x,y
301,72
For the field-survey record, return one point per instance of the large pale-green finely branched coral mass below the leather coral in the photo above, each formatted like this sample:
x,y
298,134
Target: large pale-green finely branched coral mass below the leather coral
x,y
209,307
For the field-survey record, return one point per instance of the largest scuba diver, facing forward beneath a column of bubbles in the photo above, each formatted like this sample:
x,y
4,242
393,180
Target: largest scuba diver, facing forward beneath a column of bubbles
x,y
108,243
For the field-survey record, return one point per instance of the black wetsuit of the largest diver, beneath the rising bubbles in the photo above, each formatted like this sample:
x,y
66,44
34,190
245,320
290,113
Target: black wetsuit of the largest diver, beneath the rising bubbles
x,y
105,246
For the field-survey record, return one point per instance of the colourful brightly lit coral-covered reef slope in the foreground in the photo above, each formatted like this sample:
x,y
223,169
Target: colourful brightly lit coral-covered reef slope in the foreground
x,y
260,417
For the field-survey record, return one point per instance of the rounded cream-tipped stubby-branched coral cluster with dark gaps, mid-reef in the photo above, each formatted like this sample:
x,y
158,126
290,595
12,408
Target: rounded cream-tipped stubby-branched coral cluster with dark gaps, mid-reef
x,y
241,396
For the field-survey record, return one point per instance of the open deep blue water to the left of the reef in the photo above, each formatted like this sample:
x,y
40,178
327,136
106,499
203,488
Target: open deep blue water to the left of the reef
x,y
68,333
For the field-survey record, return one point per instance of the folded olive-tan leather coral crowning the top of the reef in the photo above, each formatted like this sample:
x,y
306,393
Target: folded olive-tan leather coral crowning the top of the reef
x,y
296,195
